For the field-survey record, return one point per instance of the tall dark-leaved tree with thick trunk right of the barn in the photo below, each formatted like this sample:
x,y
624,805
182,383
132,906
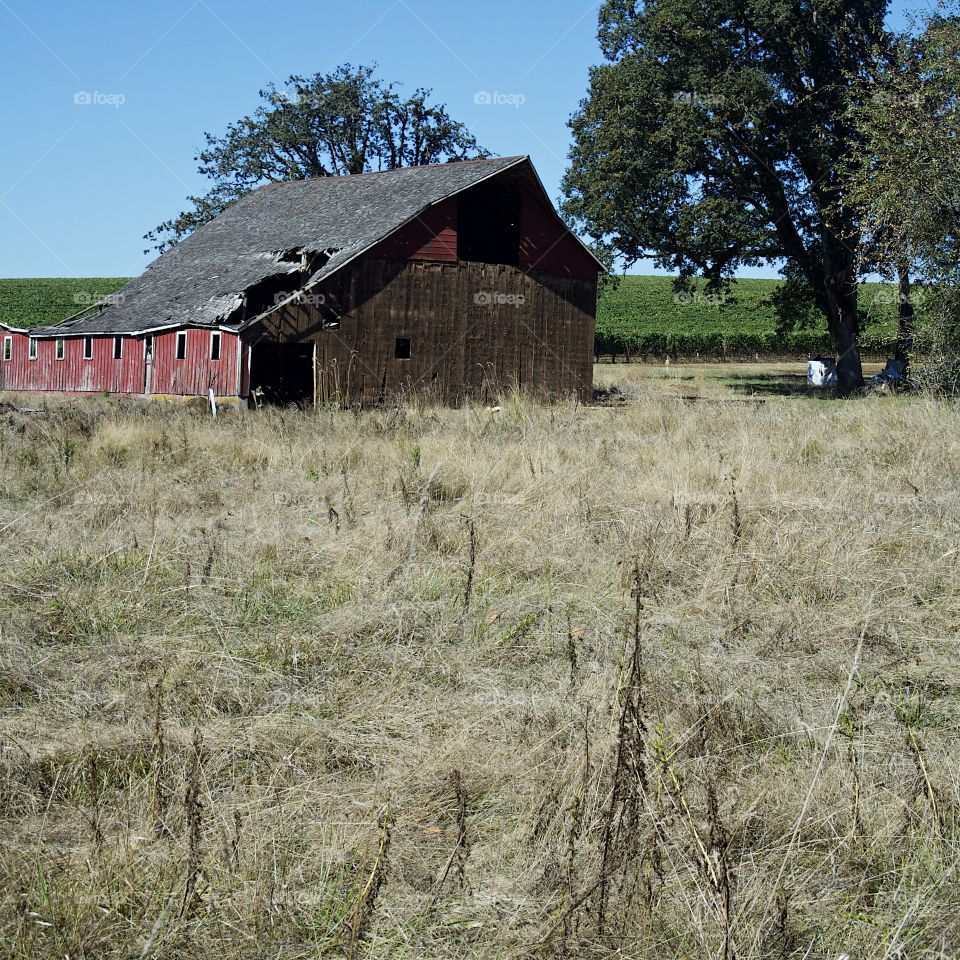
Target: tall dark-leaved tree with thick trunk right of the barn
x,y
713,136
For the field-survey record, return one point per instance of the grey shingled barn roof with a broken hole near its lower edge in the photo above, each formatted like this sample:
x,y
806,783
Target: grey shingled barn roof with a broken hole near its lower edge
x,y
282,236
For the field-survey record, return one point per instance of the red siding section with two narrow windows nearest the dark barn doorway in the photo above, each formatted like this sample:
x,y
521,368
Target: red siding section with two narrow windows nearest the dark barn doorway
x,y
197,373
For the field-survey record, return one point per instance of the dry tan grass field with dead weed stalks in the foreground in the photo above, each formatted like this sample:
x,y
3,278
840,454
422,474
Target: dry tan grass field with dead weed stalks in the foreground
x,y
668,678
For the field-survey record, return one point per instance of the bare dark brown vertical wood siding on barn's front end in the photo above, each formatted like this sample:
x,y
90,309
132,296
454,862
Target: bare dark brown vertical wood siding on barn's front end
x,y
474,330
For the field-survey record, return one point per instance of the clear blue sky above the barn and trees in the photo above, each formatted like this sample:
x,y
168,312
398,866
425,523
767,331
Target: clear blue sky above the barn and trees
x,y
80,183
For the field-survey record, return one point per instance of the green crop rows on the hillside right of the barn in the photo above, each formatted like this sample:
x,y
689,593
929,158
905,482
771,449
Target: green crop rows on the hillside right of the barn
x,y
642,316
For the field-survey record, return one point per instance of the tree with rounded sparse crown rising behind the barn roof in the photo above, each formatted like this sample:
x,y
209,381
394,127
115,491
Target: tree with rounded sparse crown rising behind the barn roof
x,y
344,122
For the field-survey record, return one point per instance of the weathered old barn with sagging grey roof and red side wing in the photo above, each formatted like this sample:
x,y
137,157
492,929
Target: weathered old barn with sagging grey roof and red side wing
x,y
456,280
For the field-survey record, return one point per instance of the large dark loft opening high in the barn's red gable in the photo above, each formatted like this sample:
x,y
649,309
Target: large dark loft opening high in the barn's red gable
x,y
488,228
